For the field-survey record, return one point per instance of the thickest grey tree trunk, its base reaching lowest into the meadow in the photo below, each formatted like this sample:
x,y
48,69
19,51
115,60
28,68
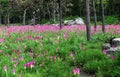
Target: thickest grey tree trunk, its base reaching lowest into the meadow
x,y
88,20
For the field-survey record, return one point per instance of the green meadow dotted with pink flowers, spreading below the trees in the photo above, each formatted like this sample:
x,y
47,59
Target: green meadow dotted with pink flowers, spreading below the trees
x,y
47,51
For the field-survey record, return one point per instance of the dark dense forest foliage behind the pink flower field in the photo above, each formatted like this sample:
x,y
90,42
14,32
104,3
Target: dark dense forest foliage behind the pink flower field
x,y
48,9
